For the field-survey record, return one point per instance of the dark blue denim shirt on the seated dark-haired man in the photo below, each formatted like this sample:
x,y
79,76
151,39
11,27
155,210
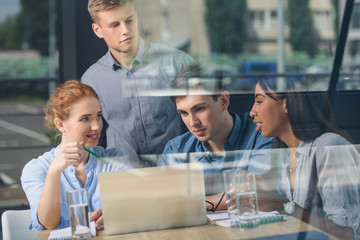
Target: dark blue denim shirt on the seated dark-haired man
x,y
253,155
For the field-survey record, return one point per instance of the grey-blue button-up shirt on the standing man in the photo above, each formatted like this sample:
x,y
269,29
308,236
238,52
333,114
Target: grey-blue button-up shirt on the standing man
x,y
140,120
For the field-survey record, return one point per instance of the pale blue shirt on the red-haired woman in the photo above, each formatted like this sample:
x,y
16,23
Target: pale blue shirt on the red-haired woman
x,y
34,175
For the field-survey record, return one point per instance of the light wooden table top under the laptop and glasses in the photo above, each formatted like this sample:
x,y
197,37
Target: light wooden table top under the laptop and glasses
x,y
211,231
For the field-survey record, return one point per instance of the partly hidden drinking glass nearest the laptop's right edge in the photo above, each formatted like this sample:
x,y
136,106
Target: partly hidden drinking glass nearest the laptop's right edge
x,y
229,184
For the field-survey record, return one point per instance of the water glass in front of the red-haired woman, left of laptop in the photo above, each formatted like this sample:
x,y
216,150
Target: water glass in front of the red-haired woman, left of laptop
x,y
79,213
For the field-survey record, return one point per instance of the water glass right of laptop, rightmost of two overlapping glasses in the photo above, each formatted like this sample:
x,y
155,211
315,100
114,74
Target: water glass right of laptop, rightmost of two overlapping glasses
x,y
246,200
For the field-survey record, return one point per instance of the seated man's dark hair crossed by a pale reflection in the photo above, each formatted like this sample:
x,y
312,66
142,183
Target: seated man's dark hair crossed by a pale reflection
x,y
193,77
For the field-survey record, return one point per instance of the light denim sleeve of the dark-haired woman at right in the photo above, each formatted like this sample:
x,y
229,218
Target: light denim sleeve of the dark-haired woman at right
x,y
338,174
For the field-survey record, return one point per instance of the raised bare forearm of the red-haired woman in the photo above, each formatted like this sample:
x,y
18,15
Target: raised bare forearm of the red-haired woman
x,y
49,207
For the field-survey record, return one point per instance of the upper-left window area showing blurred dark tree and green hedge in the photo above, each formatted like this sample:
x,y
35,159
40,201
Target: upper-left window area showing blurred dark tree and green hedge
x,y
27,39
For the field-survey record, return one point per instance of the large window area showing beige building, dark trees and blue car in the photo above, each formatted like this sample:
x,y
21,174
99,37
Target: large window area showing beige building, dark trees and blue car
x,y
241,38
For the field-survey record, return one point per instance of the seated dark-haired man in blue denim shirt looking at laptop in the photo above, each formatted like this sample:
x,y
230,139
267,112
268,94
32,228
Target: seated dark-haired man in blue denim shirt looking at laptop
x,y
215,135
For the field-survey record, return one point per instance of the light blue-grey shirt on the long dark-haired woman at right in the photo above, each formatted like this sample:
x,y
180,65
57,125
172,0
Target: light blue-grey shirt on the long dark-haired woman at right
x,y
326,179
